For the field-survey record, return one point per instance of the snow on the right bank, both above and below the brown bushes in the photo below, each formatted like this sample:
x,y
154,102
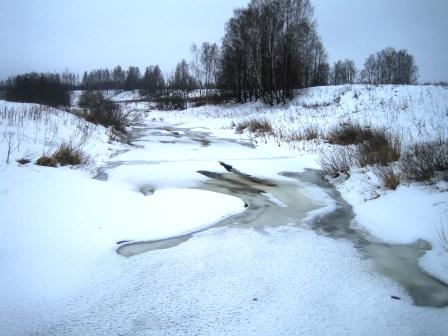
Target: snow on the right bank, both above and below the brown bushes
x,y
414,113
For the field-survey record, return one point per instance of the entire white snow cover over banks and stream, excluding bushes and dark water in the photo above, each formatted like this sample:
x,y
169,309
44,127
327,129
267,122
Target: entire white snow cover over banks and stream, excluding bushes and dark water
x,y
61,273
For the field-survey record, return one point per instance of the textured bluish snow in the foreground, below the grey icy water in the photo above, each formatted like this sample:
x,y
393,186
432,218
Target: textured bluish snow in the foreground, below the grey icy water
x,y
241,282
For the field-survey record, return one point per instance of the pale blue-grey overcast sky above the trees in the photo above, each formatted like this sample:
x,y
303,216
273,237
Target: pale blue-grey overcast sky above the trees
x,y
52,35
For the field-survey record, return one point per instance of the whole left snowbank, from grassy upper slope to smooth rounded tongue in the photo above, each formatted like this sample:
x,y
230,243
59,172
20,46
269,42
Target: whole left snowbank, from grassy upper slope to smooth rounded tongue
x,y
58,224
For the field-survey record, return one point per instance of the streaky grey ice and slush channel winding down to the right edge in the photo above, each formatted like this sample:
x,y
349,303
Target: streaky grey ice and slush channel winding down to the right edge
x,y
270,203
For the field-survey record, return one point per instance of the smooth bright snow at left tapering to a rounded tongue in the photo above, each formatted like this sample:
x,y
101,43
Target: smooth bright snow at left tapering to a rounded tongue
x,y
57,225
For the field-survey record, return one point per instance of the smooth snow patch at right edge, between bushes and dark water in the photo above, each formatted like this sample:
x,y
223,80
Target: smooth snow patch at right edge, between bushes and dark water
x,y
403,216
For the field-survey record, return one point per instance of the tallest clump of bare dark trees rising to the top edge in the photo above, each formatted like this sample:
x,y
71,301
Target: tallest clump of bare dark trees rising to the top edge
x,y
271,48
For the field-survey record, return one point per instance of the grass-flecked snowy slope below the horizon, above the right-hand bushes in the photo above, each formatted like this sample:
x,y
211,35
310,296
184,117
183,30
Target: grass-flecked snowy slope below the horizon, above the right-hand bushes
x,y
414,112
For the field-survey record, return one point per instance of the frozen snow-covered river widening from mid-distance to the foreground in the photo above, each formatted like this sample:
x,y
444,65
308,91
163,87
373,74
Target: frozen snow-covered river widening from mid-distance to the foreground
x,y
292,263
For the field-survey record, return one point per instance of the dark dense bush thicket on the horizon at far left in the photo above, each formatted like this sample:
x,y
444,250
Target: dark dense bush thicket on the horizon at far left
x,y
46,89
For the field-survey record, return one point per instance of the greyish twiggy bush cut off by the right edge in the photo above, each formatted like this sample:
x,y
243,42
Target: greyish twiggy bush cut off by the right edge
x,y
422,161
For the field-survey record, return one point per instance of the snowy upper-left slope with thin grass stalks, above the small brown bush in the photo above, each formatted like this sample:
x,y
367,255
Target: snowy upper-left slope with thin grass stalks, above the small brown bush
x,y
38,130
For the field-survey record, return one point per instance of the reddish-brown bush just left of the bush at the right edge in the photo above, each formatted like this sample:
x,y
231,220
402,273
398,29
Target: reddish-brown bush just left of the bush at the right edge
x,y
381,148
